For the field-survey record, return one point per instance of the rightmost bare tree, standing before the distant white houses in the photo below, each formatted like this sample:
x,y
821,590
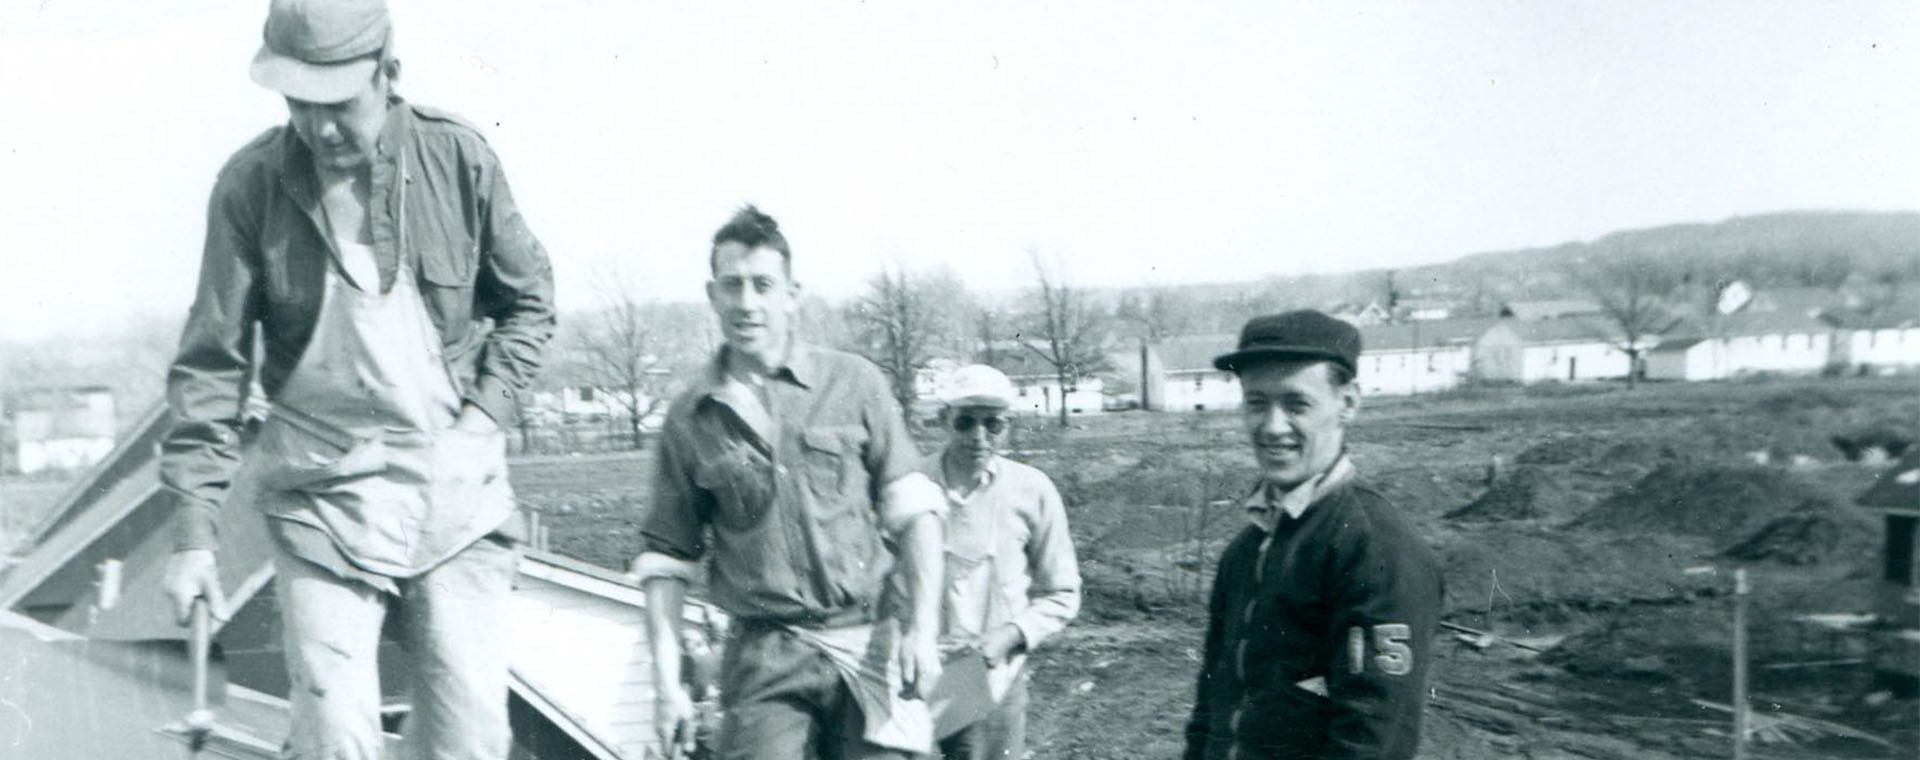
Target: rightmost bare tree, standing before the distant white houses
x,y
1637,295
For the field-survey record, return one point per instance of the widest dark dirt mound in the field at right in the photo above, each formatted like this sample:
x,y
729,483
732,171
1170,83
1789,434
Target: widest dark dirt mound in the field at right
x,y
1700,502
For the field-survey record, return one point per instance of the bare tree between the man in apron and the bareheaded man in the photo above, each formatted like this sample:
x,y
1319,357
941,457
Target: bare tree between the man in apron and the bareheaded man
x,y
633,350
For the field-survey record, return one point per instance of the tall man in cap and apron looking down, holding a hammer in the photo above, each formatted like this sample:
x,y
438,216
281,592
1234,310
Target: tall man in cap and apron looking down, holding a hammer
x,y
400,302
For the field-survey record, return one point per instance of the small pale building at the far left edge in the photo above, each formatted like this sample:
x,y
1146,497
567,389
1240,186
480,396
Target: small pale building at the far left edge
x,y
60,429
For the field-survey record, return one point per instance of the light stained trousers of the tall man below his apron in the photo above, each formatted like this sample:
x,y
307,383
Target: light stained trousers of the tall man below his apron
x,y
452,627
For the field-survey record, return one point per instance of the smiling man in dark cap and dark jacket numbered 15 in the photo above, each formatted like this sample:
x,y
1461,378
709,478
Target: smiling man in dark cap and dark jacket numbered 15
x,y
1324,609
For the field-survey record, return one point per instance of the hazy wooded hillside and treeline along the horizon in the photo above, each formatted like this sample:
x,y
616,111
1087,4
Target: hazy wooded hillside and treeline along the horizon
x,y
907,318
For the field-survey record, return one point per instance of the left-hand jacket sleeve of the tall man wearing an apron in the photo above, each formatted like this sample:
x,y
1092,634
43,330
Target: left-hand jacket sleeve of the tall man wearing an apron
x,y
206,383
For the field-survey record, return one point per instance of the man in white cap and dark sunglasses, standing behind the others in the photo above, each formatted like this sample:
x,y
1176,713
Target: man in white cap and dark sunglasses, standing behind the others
x,y
1013,579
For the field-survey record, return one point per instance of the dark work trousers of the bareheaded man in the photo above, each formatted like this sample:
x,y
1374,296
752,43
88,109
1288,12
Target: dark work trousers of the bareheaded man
x,y
786,701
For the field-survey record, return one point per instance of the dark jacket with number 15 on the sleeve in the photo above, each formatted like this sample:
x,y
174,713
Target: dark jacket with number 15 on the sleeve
x,y
1320,636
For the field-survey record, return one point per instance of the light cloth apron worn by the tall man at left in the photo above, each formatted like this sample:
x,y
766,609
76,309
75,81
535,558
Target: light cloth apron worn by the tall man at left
x,y
362,442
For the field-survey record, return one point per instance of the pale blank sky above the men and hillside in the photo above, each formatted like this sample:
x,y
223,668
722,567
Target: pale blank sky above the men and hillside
x,y
1138,143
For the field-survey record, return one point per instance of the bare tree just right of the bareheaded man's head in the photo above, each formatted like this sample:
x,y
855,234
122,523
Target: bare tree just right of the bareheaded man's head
x,y
901,323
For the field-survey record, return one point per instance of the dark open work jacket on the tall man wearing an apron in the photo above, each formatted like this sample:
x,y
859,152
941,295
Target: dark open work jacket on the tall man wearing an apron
x,y
441,193
